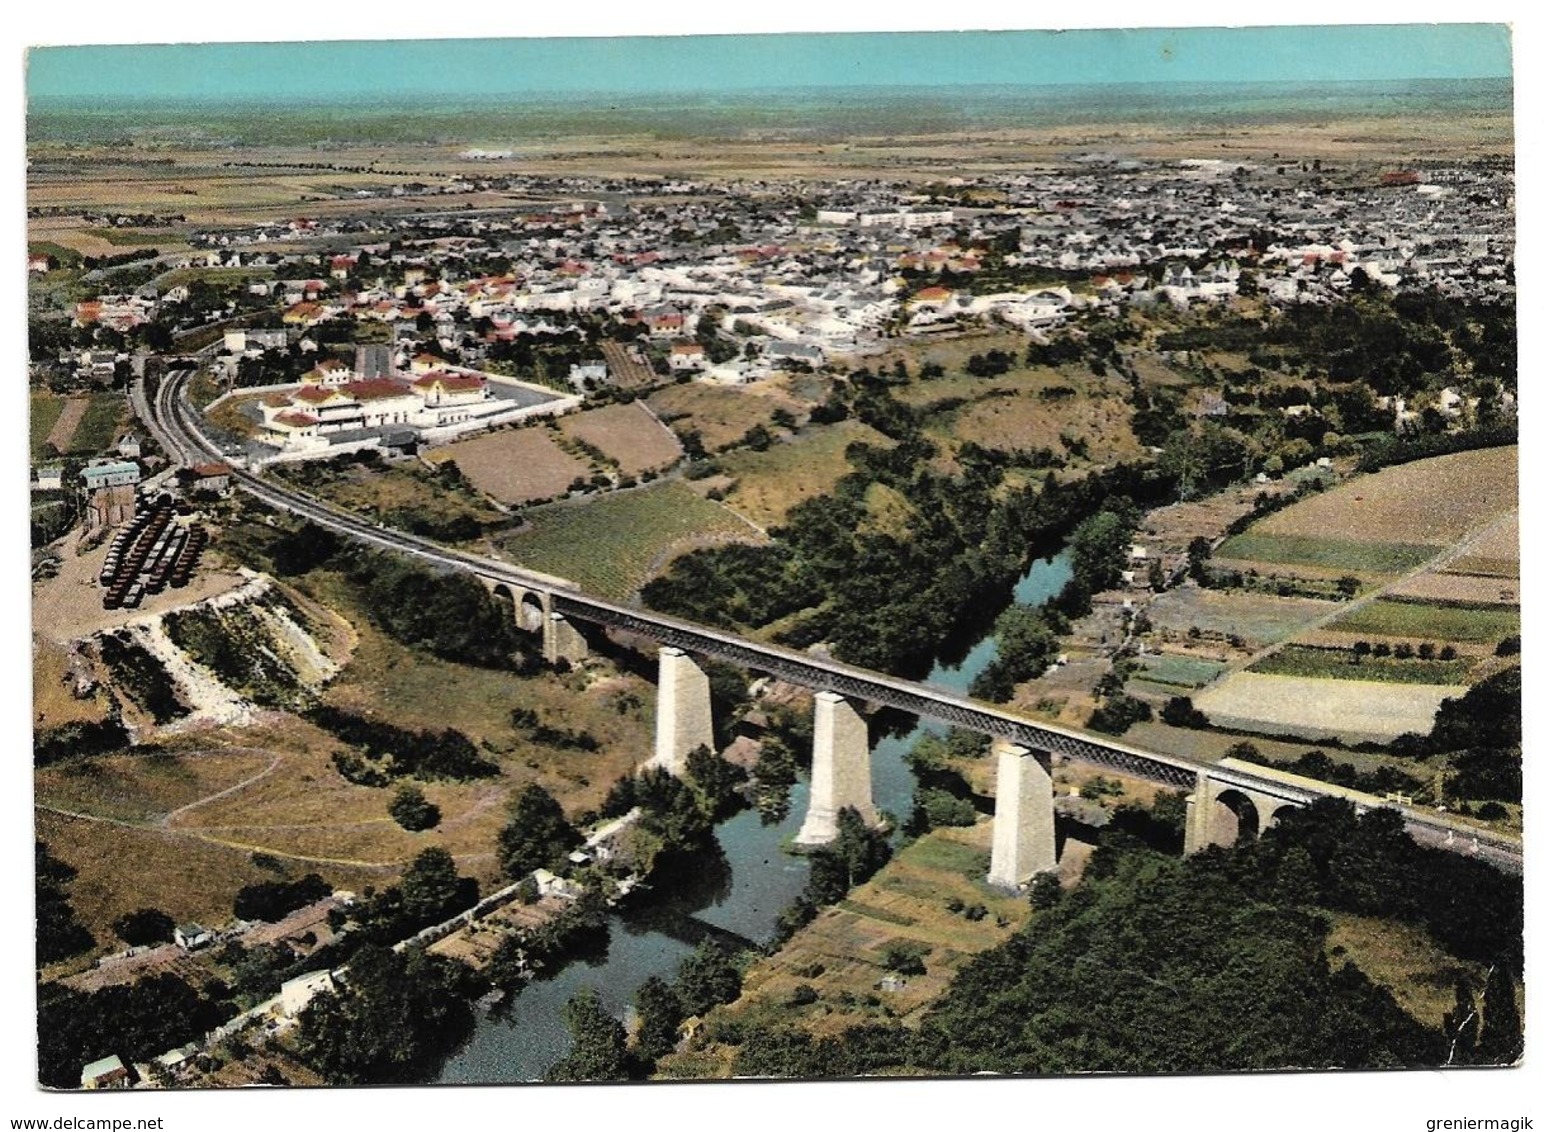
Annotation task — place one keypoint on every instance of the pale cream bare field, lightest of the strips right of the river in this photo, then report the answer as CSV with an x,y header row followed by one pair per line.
x,y
1319,708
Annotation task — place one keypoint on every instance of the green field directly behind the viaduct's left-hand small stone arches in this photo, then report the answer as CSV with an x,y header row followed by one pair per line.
x,y
614,544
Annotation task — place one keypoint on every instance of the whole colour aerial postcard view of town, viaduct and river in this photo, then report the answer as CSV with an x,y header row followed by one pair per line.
x,y
716,558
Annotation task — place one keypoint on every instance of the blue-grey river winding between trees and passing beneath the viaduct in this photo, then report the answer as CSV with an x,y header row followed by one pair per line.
x,y
740,895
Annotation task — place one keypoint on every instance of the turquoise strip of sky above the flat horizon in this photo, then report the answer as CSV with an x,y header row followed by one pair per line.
x,y
322,70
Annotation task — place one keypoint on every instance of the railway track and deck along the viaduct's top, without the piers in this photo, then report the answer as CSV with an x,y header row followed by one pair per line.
x,y
175,425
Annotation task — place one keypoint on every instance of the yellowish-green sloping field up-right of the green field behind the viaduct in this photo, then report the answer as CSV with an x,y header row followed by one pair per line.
x,y
773,483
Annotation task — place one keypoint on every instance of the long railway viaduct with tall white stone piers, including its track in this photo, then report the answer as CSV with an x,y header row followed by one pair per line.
x,y
1224,801
